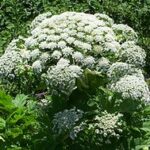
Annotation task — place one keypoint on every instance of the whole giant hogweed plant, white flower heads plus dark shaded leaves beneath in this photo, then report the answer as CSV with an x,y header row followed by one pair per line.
x,y
92,68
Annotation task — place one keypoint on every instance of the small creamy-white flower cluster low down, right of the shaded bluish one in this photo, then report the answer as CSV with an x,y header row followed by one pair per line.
x,y
108,125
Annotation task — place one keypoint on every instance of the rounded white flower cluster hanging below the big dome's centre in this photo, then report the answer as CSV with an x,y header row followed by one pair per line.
x,y
62,77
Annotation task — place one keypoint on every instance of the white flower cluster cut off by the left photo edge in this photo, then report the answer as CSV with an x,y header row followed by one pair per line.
x,y
8,63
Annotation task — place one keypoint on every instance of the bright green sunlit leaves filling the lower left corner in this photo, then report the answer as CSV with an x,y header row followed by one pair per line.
x,y
18,121
